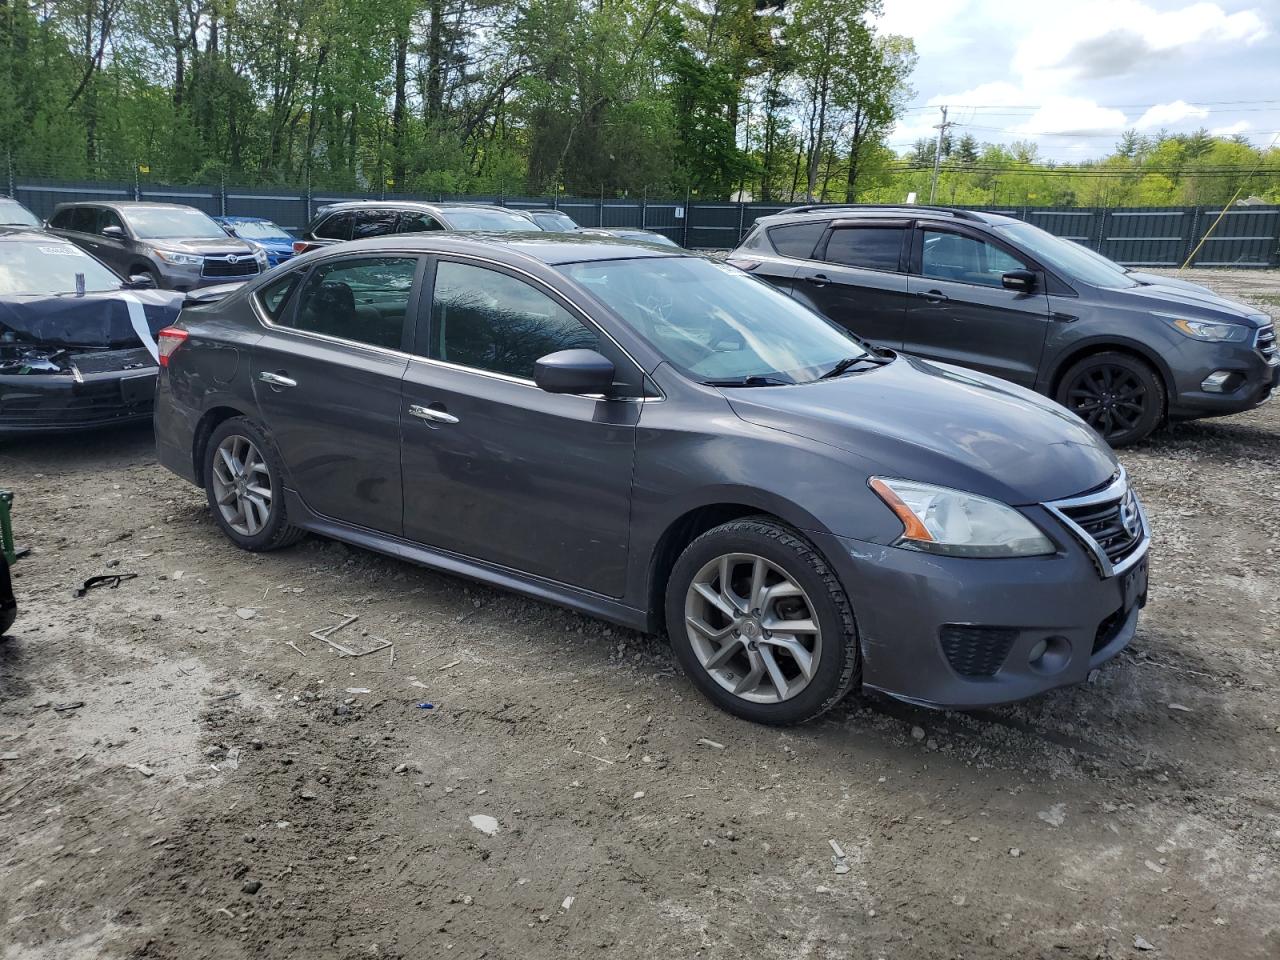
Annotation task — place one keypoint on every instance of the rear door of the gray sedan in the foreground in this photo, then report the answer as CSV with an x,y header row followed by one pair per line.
x,y
327,377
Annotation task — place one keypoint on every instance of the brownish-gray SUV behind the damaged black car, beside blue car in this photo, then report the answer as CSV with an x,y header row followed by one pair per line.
x,y
179,248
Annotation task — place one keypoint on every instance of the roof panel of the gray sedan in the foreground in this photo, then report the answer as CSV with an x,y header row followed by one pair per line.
x,y
551,249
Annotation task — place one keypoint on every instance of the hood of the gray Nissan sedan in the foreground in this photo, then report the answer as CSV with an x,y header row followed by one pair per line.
x,y
939,424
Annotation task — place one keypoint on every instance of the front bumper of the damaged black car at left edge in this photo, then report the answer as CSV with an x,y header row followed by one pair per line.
x,y
33,404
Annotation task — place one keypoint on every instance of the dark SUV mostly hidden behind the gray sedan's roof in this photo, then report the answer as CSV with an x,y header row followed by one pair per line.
x,y
363,220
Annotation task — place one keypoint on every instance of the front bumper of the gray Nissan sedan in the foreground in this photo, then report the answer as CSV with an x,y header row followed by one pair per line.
x,y
995,614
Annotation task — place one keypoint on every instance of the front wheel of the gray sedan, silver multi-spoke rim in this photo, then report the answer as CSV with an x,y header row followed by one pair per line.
x,y
761,624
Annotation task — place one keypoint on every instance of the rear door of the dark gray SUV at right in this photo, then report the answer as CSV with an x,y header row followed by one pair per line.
x,y
861,281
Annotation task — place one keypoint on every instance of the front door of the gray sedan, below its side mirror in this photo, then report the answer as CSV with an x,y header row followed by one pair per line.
x,y
497,469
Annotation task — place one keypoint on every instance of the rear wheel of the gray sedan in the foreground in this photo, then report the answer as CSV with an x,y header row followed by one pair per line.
x,y
244,483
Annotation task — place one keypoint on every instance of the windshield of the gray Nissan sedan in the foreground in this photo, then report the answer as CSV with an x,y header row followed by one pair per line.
x,y
714,322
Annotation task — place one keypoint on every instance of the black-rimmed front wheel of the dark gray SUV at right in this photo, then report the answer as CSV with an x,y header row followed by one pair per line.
x,y
1118,395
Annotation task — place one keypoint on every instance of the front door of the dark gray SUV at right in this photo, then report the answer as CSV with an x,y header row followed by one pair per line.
x,y
959,310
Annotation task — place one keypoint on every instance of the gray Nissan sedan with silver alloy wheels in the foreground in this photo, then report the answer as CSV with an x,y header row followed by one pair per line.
x,y
671,445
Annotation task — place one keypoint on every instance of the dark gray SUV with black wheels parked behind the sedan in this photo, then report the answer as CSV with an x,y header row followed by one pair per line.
x,y
1005,298
